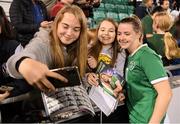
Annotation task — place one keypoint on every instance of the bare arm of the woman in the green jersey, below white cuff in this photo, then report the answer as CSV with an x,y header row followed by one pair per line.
x,y
162,101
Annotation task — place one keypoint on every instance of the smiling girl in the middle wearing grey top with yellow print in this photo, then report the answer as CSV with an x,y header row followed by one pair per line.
x,y
106,49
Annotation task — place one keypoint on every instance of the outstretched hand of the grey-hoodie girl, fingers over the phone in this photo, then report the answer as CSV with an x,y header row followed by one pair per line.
x,y
36,74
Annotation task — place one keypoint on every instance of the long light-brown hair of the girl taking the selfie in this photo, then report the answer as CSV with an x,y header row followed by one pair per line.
x,y
76,50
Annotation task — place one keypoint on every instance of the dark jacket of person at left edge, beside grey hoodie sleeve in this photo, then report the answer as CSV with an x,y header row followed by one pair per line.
x,y
7,49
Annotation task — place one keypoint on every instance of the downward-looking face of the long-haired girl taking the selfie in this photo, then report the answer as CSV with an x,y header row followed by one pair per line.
x,y
68,29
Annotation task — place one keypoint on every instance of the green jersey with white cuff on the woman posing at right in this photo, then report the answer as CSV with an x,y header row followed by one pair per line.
x,y
144,69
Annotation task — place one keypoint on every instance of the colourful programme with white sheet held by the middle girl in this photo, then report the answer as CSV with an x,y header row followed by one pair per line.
x,y
103,95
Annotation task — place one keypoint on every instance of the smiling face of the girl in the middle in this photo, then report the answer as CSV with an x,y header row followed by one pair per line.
x,y
106,33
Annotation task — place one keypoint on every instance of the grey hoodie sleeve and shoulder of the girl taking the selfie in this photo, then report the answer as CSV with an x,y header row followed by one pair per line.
x,y
38,49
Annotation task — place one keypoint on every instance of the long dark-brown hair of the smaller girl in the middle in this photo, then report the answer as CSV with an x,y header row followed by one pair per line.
x,y
96,49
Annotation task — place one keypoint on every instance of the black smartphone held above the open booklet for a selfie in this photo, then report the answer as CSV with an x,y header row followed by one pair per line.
x,y
71,73
